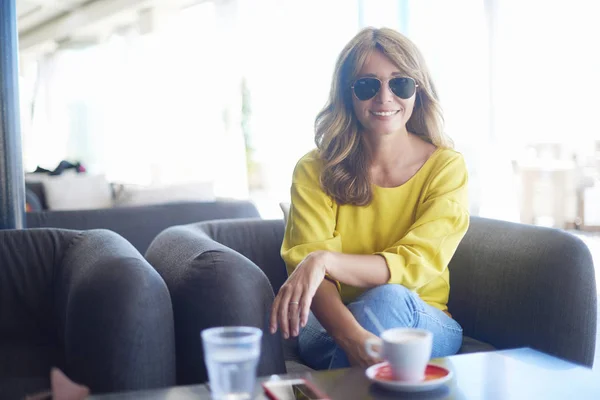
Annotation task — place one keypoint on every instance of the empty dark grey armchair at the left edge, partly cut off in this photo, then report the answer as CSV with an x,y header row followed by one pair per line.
x,y
86,302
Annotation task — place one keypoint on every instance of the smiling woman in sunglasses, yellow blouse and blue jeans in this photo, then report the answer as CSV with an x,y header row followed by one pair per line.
x,y
377,211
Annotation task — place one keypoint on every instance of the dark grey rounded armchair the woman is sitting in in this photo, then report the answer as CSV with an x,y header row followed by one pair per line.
x,y
512,285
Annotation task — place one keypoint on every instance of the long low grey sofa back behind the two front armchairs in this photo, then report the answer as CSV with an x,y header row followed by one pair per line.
x,y
140,225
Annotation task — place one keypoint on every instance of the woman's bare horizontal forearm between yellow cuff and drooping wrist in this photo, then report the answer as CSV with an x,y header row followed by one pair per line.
x,y
363,271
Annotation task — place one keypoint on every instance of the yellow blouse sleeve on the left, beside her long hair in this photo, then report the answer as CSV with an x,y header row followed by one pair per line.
x,y
311,221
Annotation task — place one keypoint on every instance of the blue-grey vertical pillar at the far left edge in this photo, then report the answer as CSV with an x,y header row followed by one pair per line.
x,y
12,185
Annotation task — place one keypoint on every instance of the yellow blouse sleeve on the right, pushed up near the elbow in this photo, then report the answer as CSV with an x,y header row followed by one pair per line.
x,y
441,222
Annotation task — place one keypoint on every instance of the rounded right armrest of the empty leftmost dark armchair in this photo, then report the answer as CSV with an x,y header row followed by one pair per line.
x,y
115,316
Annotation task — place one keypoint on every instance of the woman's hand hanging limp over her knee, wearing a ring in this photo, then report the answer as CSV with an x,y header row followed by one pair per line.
x,y
292,304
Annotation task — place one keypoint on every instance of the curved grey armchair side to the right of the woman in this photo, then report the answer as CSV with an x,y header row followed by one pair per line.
x,y
516,285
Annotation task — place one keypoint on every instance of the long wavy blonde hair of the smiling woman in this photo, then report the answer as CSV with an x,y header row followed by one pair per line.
x,y
341,146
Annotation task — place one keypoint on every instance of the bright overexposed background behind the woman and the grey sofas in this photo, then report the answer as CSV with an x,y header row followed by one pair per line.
x,y
176,99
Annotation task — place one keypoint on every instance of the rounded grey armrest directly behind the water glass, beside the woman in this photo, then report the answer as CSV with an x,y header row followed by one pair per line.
x,y
212,285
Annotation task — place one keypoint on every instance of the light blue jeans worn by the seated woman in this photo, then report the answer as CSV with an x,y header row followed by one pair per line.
x,y
394,306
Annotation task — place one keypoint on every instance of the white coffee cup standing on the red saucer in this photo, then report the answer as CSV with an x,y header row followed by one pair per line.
x,y
407,350
